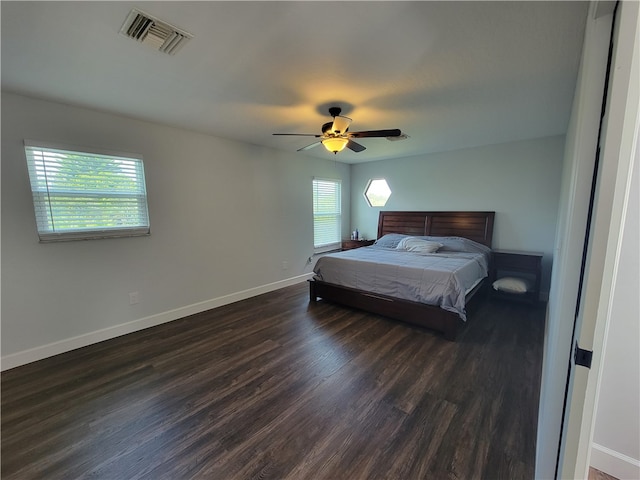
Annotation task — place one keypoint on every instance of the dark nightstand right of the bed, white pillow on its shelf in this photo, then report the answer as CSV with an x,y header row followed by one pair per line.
x,y
522,265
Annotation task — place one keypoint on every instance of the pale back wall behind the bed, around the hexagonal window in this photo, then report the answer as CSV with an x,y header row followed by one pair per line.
x,y
520,181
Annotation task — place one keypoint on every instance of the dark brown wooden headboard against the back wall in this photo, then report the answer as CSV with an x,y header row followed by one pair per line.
x,y
476,226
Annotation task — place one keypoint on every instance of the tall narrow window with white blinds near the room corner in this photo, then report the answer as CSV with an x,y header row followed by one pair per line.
x,y
327,216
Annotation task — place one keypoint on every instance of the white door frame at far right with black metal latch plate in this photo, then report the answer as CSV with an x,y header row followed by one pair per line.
x,y
619,139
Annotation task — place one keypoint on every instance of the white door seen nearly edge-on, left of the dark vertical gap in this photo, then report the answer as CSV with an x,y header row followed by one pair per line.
x,y
573,218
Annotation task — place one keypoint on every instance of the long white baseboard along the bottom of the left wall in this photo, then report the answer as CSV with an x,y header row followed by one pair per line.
x,y
66,345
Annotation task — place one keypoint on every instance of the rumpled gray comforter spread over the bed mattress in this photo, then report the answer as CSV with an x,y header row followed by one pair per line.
x,y
441,279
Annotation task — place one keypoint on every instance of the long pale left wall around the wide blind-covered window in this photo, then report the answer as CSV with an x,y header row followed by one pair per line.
x,y
224,217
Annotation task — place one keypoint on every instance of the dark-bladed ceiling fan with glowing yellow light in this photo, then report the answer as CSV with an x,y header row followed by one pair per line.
x,y
336,135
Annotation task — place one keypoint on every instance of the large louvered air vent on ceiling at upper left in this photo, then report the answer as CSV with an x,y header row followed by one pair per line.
x,y
149,30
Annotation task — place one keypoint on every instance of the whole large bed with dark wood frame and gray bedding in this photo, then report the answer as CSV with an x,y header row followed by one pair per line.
x,y
366,290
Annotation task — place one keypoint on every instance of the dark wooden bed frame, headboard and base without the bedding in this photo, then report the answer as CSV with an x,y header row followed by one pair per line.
x,y
477,226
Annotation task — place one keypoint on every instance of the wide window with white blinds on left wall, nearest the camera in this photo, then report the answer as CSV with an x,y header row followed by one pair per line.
x,y
81,195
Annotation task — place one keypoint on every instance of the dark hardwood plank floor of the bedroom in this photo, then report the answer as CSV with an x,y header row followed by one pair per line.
x,y
277,387
